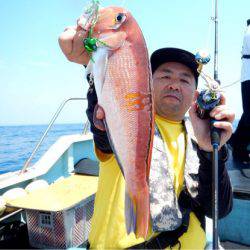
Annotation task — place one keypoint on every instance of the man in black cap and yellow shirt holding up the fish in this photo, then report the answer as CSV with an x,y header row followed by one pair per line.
x,y
187,164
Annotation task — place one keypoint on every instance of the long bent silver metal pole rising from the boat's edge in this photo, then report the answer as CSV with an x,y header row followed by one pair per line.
x,y
47,130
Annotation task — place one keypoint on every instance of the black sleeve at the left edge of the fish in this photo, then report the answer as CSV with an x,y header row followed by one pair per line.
x,y
100,137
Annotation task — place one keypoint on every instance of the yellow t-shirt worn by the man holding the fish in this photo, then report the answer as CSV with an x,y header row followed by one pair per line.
x,y
108,223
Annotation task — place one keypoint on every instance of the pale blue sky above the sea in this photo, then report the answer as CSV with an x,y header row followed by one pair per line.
x,y
35,77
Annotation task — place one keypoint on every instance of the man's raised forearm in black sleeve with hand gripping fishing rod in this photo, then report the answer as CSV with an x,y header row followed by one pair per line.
x,y
224,117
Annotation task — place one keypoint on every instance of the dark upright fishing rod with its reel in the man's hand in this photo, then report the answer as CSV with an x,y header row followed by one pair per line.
x,y
206,101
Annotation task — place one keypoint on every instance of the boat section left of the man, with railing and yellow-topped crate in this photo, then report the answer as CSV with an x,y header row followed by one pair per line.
x,y
69,164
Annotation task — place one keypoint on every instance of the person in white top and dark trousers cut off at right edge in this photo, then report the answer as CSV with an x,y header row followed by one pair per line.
x,y
240,140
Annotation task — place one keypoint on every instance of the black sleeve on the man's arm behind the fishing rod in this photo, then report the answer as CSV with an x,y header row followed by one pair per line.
x,y
225,196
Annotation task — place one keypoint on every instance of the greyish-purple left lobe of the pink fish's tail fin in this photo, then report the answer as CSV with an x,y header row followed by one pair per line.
x,y
130,216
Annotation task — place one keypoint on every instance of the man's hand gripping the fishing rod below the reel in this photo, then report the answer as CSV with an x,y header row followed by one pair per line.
x,y
224,117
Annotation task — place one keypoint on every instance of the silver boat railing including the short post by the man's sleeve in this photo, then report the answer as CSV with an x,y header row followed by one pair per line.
x,y
85,129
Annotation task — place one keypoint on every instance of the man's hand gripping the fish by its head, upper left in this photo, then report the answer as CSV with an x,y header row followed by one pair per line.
x,y
71,43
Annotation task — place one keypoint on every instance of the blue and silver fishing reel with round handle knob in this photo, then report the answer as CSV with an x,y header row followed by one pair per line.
x,y
209,97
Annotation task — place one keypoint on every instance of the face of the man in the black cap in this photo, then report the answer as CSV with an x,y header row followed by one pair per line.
x,y
174,87
